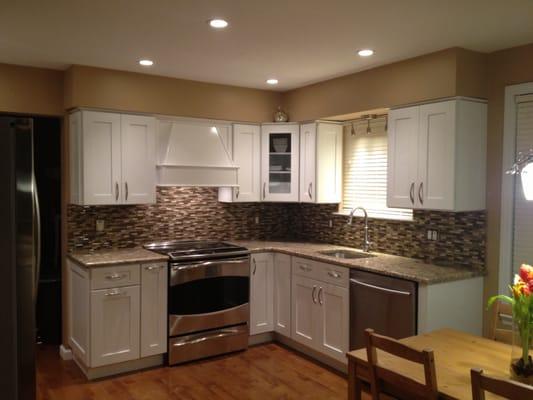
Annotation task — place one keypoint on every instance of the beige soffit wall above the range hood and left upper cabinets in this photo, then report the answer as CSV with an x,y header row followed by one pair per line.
x,y
128,91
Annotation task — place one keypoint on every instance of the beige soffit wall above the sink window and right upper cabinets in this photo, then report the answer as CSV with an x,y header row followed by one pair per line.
x,y
451,72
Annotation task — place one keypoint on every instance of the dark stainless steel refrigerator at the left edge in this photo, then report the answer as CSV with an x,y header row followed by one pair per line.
x,y
19,254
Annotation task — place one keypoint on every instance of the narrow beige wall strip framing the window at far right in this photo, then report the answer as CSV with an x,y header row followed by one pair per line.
x,y
506,67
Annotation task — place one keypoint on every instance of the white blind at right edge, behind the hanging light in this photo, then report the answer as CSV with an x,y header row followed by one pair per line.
x,y
523,209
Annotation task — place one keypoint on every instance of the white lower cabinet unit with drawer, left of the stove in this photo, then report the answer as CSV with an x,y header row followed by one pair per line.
x,y
117,314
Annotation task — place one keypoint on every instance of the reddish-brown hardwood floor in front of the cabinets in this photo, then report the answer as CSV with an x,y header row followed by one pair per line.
x,y
266,371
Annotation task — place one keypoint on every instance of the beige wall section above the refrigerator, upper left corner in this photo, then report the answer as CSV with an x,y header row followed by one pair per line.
x,y
29,90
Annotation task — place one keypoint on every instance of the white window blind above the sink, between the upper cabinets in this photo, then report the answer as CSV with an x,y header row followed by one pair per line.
x,y
365,171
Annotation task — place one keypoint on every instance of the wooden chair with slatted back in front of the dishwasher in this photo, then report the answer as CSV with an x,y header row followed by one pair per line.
x,y
389,383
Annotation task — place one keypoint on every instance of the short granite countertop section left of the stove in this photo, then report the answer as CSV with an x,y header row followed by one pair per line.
x,y
102,258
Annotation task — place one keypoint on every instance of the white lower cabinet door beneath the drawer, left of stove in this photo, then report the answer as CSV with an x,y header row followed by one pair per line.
x,y
115,325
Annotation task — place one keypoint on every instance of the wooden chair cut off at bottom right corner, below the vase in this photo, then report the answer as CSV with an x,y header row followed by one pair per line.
x,y
501,387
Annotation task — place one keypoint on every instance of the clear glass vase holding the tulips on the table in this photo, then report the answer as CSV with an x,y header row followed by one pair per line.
x,y
521,367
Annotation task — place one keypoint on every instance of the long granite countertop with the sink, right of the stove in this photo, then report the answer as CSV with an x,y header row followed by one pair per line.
x,y
384,264
